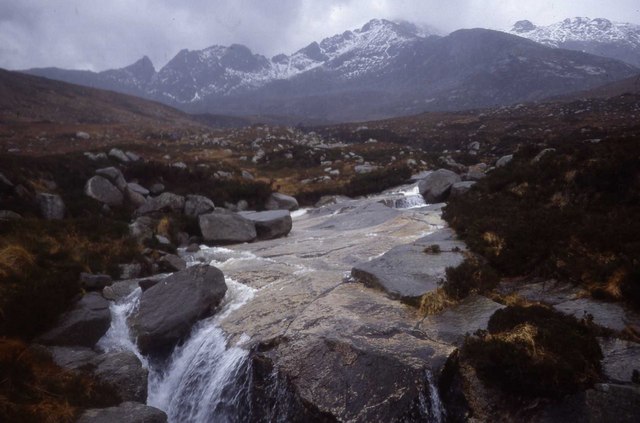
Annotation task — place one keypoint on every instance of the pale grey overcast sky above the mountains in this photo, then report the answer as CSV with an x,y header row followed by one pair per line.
x,y
103,34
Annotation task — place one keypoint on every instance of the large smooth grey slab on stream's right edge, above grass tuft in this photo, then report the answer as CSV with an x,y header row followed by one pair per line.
x,y
406,272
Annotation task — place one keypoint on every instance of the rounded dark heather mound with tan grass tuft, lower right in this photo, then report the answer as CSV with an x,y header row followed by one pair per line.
x,y
535,352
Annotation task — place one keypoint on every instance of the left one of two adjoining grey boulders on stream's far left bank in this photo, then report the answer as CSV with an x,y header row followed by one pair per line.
x,y
226,228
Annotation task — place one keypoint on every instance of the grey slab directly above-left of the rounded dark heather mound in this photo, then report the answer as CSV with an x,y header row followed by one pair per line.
x,y
453,324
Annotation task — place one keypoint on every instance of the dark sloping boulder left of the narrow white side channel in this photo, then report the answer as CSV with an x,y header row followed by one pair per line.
x,y
83,325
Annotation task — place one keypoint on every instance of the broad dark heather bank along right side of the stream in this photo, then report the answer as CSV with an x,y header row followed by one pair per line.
x,y
571,215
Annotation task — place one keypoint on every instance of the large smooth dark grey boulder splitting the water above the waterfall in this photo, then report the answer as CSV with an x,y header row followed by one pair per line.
x,y
168,310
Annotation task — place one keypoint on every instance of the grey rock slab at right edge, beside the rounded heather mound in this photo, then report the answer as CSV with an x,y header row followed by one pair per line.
x,y
621,358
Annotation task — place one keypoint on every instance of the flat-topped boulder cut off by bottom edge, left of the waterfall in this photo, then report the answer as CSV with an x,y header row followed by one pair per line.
x,y
129,412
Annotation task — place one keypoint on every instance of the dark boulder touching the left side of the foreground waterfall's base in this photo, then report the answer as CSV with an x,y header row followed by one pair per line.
x,y
123,371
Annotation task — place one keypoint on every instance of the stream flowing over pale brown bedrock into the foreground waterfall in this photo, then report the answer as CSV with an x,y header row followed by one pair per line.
x,y
324,331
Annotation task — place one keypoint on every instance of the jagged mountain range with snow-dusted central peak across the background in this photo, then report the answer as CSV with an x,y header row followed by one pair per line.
x,y
381,70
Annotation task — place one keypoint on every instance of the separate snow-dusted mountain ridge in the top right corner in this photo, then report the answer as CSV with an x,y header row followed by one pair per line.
x,y
599,36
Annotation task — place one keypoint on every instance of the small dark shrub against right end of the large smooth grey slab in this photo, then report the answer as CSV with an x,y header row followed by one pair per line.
x,y
470,275
